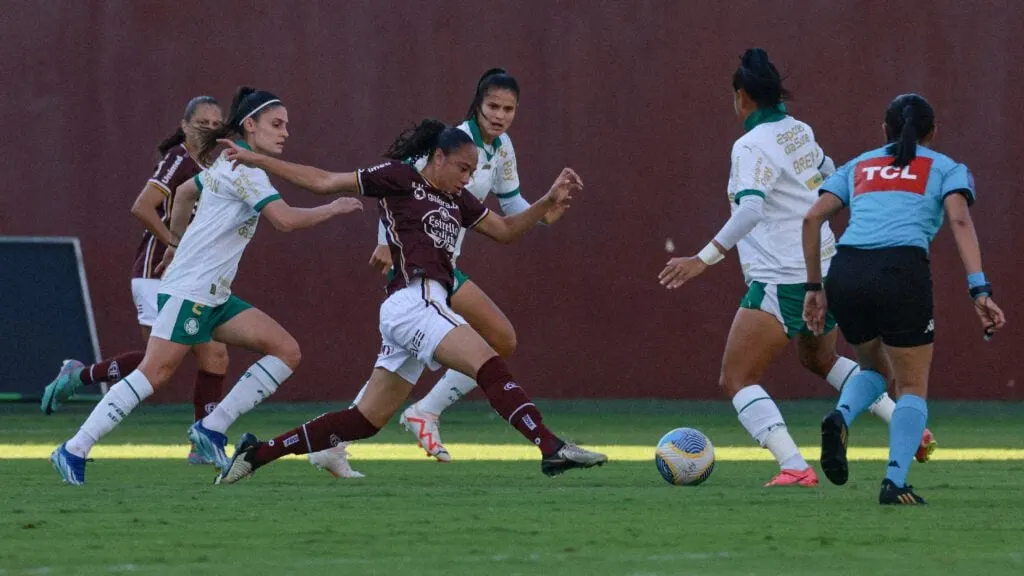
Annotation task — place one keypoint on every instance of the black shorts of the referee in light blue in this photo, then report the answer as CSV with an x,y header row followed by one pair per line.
x,y
884,293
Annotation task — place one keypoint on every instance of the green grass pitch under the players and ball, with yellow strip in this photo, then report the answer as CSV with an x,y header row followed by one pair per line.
x,y
491,512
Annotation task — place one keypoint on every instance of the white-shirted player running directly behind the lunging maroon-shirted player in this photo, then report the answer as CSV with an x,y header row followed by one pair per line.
x,y
496,102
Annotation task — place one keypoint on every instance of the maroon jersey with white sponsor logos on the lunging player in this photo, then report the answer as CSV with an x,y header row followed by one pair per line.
x,y
422,223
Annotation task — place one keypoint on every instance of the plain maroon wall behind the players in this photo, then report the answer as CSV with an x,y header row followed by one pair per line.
x,y
635,96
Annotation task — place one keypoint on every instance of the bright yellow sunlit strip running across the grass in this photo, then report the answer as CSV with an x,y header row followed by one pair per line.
x,y
470,452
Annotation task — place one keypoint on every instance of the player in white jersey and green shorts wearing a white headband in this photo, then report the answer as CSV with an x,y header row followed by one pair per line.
x,y
196,304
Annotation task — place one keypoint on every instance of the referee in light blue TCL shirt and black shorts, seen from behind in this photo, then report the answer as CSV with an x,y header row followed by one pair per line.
x,y
880,286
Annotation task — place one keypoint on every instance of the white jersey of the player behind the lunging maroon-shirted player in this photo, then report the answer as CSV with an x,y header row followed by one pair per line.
x,y
496,173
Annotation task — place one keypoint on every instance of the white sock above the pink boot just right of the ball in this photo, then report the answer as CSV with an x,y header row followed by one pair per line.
x,y
762,420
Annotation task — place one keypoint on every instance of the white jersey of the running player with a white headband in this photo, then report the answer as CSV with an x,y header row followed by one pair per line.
x,y
208,257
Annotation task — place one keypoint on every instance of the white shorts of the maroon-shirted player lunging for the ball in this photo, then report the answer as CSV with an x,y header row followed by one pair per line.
x,y
414,321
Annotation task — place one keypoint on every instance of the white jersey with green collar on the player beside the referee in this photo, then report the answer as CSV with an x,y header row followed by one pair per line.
x,y
779,160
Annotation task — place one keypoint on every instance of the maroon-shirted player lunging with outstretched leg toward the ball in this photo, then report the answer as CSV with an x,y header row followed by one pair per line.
x,y
422,213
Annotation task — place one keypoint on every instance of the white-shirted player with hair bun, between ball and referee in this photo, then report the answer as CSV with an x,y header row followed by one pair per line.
x,y
778,168
